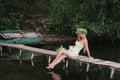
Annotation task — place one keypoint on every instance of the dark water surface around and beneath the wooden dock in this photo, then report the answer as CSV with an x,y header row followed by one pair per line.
x,y
11,69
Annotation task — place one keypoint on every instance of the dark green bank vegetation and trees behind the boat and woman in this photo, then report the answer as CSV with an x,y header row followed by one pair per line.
x,y
44,16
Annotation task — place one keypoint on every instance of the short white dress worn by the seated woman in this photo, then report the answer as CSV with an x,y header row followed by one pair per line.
x,y
74,51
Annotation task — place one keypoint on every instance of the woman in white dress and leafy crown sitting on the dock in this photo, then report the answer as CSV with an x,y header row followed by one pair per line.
x,y
81,43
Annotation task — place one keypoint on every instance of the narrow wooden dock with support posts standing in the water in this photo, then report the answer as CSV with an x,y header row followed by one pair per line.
x,y
81,59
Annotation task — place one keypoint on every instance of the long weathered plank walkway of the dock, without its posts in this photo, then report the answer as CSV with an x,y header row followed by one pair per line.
x,y
53,53
